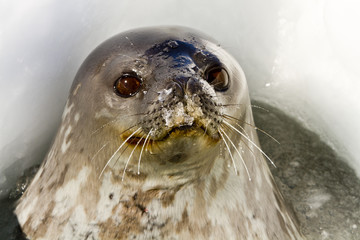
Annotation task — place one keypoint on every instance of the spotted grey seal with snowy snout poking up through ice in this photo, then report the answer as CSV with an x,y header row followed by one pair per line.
x,y
157,141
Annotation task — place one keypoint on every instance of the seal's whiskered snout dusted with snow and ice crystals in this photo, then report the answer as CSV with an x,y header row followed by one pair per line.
x,y
185,106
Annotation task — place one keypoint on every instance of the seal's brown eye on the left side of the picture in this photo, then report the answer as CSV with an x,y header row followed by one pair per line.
x,y
127,85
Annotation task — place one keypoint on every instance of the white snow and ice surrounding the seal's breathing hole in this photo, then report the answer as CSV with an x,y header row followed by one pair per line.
x,y
301,56
